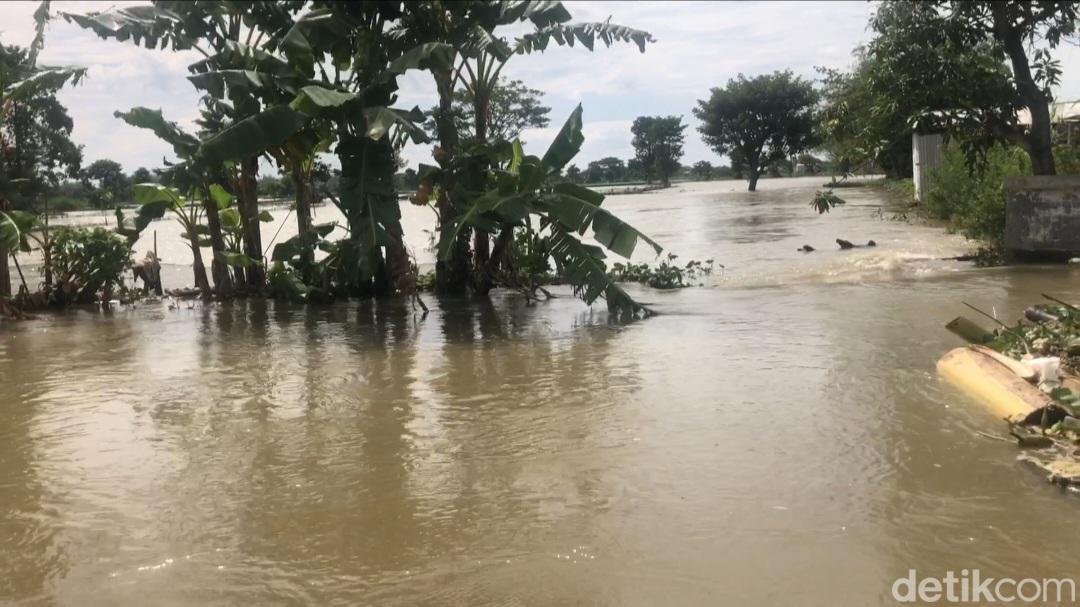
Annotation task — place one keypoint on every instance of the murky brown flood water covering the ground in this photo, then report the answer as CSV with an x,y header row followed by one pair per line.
x,y
776,438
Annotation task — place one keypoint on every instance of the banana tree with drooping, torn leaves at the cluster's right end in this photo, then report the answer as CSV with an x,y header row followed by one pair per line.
x,y
531,195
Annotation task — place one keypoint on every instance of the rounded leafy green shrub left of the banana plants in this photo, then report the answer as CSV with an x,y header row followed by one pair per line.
x,y
88,261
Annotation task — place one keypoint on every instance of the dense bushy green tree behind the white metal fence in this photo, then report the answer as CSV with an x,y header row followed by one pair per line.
x,y
872,113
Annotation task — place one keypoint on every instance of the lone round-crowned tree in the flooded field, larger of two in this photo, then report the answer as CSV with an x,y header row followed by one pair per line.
x,y
760,122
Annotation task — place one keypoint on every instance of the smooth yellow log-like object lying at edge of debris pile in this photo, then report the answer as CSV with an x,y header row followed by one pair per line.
x,y
992,383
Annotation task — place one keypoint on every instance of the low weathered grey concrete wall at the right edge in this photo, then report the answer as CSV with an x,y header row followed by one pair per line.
x,y
1043,215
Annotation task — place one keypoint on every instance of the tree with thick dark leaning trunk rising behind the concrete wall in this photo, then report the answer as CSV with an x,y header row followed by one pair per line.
x,y
934,35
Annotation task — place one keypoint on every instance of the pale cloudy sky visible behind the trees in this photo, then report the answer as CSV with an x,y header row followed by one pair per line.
x,y
699,46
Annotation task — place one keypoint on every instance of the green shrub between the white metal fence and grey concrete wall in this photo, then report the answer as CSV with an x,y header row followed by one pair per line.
x,y
974,203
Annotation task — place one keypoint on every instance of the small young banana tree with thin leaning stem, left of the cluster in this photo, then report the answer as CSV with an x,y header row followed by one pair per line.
x,y
155,201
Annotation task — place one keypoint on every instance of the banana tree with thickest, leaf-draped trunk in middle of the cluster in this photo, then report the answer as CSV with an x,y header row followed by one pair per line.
x,y
367,129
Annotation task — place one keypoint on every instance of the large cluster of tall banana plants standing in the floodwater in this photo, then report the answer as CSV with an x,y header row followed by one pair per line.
x,y
308,78
